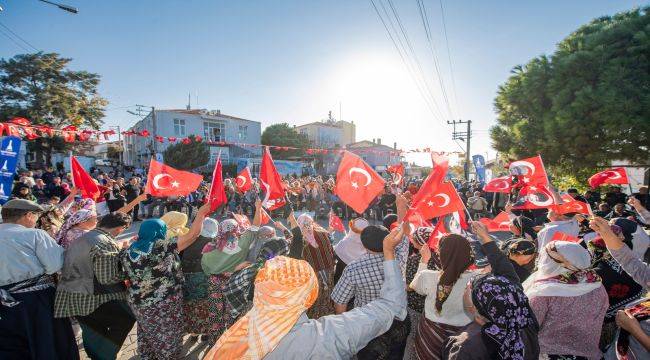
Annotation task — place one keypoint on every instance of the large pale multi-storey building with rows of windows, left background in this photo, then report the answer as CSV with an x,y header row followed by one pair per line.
x,y
213,126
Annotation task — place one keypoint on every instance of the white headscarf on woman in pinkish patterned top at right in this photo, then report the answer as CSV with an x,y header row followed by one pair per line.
x,y
577,259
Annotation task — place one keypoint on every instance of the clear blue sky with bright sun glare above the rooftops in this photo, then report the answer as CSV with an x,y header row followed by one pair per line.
x,y
293,61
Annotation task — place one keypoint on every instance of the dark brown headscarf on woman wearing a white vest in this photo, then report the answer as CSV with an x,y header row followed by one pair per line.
x,y
455,257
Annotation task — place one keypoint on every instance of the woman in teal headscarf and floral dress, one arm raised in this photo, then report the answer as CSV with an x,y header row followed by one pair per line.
x,y
153,268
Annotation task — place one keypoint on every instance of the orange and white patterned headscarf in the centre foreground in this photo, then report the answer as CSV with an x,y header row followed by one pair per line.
x,y
284,289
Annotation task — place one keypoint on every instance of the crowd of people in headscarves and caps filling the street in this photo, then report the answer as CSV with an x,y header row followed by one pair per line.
x,y
287,289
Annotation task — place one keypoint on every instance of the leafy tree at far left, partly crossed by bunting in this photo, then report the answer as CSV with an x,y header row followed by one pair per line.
x,y
41,88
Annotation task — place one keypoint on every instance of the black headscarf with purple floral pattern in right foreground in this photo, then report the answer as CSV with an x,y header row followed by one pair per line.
x,y
506,309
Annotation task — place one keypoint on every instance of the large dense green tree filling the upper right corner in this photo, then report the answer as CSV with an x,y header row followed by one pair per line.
x,y
585,105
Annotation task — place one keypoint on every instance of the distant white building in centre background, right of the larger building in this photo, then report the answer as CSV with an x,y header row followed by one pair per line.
x,y
329,133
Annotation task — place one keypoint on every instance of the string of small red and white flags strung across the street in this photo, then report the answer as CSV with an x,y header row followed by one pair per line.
x,y
24,129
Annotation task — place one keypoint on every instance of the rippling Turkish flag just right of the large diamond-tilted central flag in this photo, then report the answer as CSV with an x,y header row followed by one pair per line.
x,y
440,201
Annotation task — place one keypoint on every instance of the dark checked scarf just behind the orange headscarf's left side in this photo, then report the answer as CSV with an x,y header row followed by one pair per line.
x,y
239,289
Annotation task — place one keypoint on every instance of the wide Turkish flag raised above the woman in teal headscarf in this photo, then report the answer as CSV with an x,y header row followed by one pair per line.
x,y
164,180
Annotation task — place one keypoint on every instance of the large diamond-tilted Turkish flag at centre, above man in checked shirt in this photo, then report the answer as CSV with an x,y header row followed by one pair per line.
x,y
357,184
